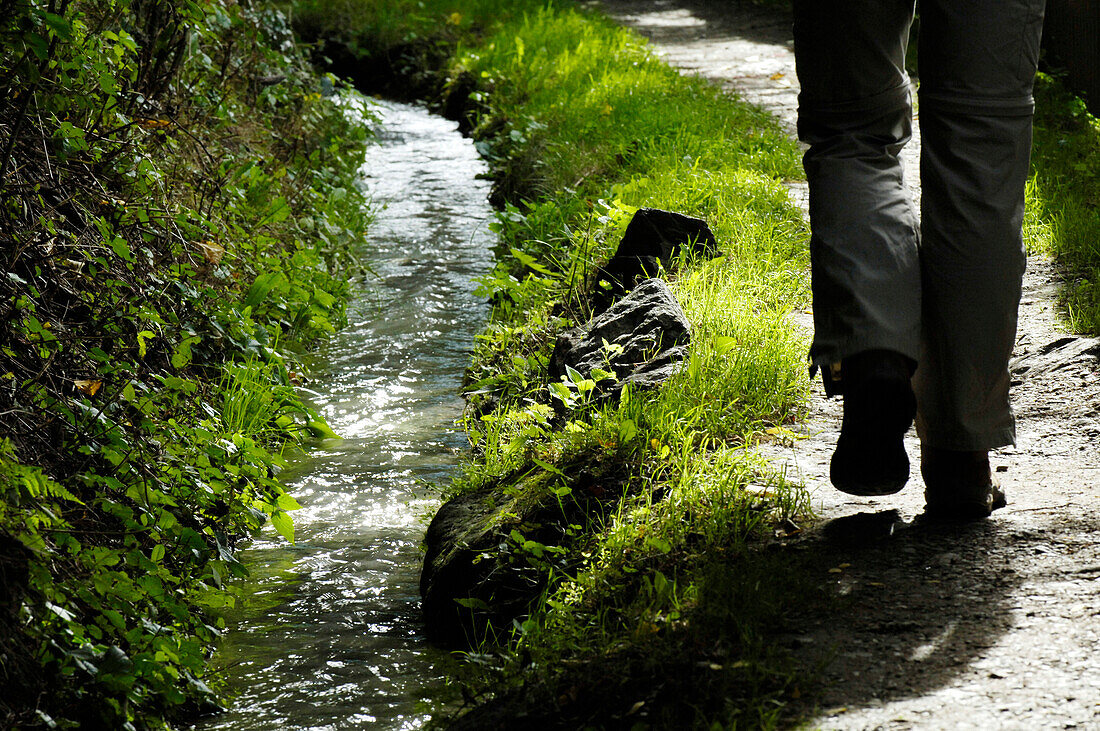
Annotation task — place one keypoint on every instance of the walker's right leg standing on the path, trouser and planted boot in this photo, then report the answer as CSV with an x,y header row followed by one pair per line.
x,y
978,61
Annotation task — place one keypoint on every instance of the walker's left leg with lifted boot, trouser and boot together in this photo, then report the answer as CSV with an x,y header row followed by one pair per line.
x,y
854,113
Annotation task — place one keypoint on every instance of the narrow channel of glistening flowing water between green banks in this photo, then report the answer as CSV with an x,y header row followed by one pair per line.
x,y
331,637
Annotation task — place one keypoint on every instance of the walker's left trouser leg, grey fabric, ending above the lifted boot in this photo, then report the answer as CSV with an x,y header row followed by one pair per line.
x,y
854,113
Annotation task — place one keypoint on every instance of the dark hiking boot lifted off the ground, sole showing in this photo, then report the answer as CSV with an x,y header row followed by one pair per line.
x,y
878,411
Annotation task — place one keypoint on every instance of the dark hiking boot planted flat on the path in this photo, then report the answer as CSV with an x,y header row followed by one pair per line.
x,y
959,486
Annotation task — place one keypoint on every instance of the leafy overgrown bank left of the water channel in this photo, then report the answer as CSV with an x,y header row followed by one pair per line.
x,y
177,209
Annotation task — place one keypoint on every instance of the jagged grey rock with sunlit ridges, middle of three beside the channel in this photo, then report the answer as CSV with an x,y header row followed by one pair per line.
x,y
643,339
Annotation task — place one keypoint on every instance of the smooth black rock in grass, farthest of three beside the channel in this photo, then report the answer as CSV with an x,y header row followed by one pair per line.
x,y
653,241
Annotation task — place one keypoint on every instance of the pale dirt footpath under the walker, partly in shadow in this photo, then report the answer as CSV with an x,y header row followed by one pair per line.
x,y
988,626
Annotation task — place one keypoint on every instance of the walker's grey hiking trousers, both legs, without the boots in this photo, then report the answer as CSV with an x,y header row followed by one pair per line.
x,y
944,290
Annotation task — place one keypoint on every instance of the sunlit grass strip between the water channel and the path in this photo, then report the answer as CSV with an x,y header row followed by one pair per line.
x,y
656,595
